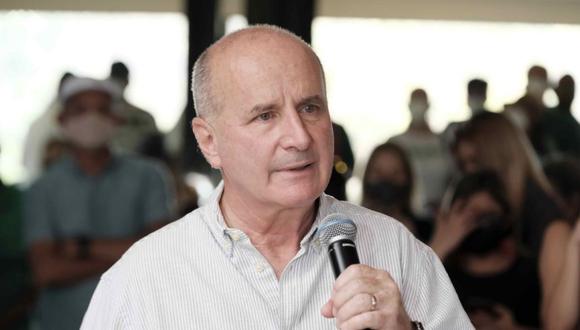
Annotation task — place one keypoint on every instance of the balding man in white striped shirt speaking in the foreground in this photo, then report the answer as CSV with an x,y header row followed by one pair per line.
x,y
250,259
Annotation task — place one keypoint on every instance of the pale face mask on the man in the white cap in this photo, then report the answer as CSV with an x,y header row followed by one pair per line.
x,y
90,130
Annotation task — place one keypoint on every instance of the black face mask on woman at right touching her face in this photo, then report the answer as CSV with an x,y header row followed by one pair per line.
x,y
491,231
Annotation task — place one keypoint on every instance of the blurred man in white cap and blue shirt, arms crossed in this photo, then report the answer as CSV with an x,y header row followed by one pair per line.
x,y
89,207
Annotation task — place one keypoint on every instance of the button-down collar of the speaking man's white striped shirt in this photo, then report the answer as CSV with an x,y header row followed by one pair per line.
x,y
227,237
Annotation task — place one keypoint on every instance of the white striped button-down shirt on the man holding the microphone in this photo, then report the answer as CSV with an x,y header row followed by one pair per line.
x,y
198,274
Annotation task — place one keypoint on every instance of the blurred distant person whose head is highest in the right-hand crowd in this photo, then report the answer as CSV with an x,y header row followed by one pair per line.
x,y
527,112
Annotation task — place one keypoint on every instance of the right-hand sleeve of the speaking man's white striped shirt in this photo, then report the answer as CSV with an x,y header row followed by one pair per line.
x,y
427,291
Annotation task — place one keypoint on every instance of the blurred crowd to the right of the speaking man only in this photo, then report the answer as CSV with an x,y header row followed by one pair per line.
x,y
497,197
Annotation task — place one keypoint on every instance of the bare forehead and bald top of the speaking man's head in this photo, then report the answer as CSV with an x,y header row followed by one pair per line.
x,y
253,66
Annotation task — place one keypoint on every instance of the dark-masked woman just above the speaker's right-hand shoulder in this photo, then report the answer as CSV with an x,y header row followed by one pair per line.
x,y
388,187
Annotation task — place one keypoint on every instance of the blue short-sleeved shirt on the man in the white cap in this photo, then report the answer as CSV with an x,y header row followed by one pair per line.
x,y
122,201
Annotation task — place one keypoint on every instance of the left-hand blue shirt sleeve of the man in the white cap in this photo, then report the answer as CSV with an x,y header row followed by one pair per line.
x,y
37,226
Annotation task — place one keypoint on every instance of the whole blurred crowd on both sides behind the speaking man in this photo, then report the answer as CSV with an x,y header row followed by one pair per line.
x,y
497,197
